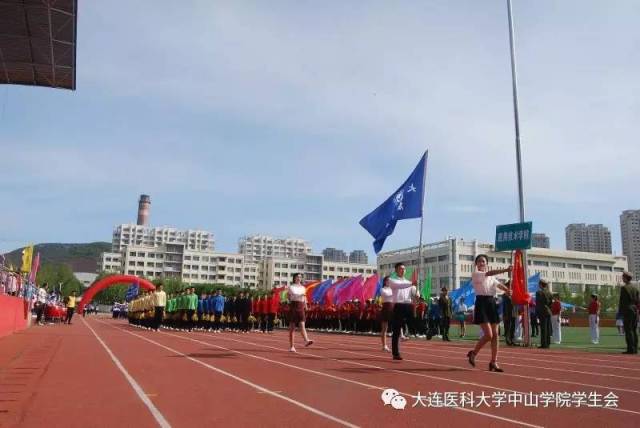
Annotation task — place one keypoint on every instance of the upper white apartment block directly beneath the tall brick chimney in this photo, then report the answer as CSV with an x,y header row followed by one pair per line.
x,y
130,235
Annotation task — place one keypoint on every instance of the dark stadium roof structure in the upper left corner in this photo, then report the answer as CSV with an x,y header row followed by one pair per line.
x,y
38,42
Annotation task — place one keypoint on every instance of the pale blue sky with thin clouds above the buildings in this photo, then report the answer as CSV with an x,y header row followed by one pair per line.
x,y
296,119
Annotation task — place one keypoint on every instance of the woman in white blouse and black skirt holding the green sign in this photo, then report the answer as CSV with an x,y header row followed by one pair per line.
x,y
486,310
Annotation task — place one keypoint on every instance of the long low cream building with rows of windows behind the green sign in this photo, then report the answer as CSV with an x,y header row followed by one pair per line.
x,y
451,264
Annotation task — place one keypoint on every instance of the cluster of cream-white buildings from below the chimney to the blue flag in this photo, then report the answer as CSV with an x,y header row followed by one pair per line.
x,y
266,262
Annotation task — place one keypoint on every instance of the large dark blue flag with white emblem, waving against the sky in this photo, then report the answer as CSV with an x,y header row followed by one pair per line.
x,y
406,202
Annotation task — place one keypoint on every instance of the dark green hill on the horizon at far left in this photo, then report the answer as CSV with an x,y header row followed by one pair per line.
x,y
79,257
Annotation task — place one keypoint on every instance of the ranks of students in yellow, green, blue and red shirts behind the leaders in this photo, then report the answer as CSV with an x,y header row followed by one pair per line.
x,y
216,312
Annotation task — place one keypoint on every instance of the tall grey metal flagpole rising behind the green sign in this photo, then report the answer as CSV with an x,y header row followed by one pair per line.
x,y
514,80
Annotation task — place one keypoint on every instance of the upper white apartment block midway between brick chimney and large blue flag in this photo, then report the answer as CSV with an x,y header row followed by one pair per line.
x,y
259,247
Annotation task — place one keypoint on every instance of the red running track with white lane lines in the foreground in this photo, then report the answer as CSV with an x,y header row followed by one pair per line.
x,y
101,372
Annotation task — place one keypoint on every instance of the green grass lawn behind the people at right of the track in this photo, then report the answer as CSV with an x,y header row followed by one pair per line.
x,y
572,338
